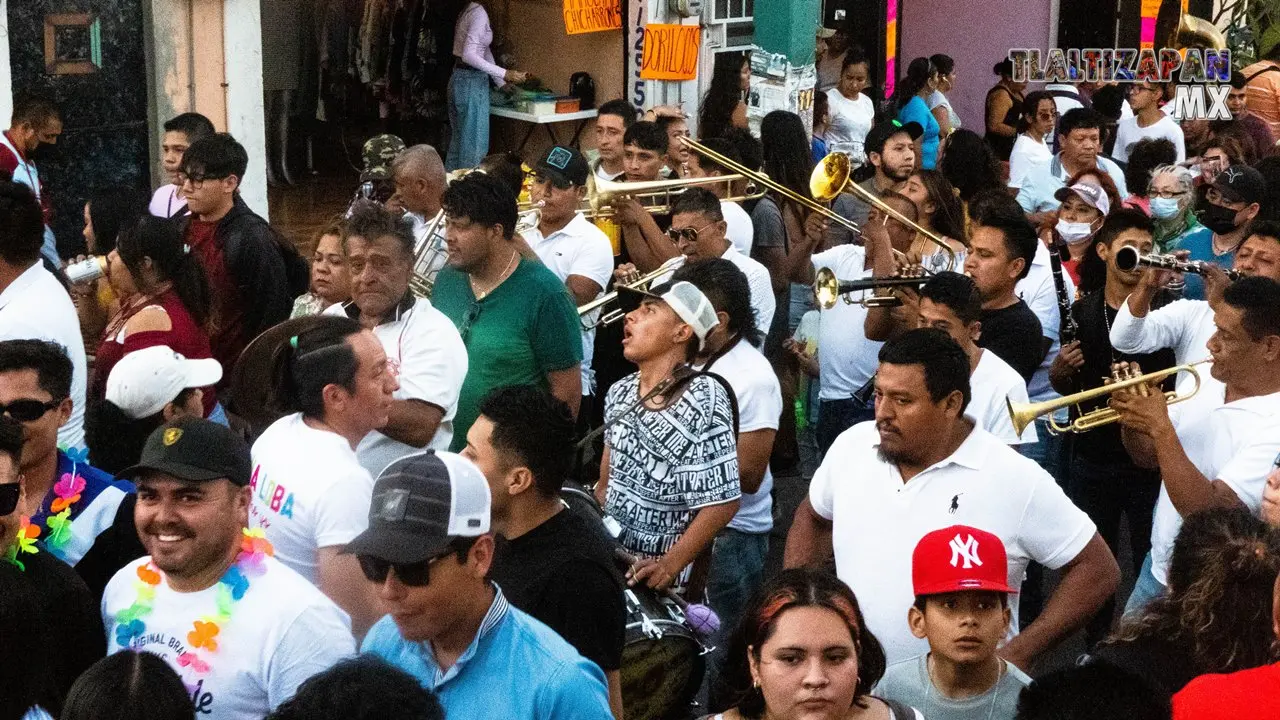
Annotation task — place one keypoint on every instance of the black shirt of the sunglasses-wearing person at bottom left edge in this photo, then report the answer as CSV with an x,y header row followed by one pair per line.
x,y
51,628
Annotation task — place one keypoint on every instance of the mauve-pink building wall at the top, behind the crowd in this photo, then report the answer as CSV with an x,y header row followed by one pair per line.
x,y
977,37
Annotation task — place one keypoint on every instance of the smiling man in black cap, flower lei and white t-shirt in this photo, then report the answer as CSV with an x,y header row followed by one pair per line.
x,y
239,627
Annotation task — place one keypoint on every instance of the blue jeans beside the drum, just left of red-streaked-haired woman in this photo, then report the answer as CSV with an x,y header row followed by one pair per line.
x,y
735,575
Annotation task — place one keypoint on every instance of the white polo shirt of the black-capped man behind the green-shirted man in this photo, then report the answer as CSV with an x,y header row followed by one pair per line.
x,y
578,249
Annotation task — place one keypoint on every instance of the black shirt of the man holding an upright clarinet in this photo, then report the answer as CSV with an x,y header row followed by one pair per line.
x,y
1104,445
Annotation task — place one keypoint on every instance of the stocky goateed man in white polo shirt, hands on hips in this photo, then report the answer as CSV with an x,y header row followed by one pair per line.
x,y
921,467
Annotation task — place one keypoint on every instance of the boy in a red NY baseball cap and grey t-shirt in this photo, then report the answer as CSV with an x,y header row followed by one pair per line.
x,y
961,577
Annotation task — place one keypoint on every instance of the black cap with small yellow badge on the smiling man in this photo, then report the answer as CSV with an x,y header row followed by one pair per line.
x,y
194,449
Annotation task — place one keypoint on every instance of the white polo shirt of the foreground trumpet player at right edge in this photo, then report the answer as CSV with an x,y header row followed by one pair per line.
x,y
1236,443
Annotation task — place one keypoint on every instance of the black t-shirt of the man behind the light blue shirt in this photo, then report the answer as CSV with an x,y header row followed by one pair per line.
x,y
564,575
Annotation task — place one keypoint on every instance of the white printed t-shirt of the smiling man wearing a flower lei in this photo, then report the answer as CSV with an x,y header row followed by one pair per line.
x,y
280,635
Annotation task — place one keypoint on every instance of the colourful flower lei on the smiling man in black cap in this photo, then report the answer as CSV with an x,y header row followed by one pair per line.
x,y
232,587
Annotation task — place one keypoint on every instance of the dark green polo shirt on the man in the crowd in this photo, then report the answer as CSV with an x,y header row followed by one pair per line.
x,y
522,331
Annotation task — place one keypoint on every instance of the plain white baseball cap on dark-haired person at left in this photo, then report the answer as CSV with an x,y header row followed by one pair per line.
x,y
148,380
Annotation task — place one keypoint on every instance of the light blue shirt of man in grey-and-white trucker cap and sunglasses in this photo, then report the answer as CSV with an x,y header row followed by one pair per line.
x,y
516,669
